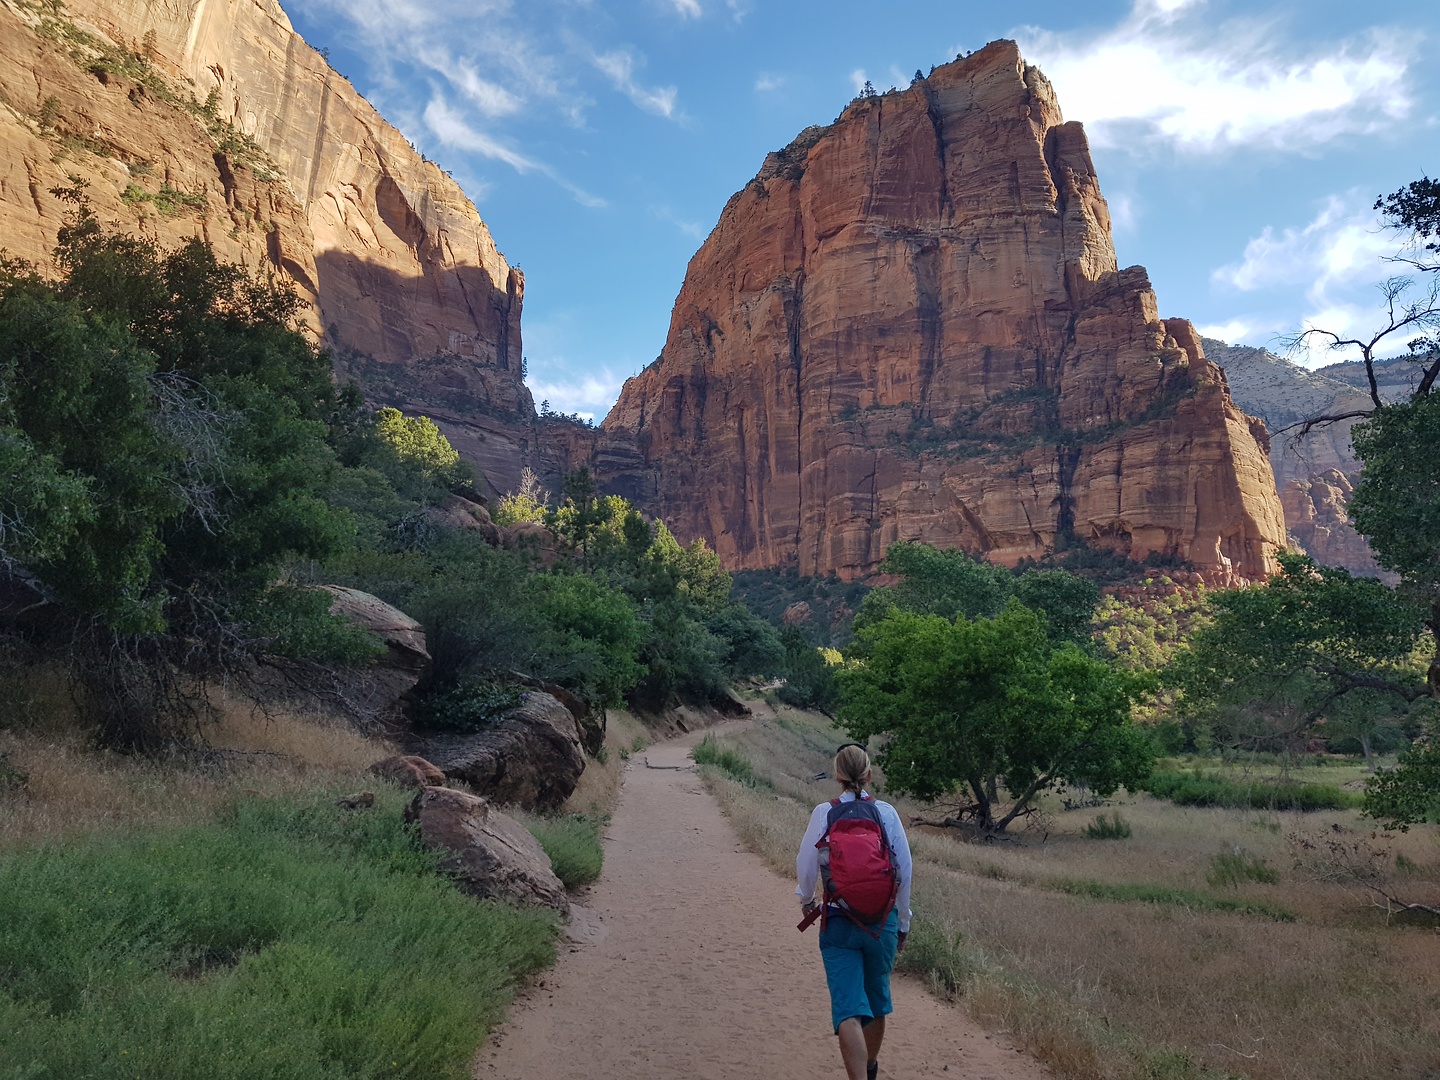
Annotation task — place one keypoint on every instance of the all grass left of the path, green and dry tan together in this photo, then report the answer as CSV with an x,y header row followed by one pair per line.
x,y
220,915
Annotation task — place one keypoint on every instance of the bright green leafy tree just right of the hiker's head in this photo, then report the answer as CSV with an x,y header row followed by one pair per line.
x,y
991,705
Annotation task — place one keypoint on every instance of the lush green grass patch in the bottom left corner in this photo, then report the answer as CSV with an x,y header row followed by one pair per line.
x,y
289,940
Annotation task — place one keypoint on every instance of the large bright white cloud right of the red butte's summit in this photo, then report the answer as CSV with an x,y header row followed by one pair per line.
x,y
1205,89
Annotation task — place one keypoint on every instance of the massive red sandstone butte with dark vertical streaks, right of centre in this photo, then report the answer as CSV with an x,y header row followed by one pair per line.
x,y
912,325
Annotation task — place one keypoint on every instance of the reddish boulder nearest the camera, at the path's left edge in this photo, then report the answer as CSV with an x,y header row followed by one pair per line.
x,y
492,855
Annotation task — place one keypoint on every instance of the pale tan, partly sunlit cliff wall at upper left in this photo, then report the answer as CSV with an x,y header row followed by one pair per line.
x,y
208,119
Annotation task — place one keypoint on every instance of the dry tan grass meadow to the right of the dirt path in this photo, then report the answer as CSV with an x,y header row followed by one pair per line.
x,y
1192,948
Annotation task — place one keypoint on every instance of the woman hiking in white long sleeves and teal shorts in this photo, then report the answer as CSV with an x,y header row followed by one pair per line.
x,y
858,846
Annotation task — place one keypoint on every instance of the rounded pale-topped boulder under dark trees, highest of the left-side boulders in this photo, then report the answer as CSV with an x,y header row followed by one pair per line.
x,y
375,693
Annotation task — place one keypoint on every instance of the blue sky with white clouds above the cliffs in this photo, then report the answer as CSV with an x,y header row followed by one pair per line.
x,y
1241,145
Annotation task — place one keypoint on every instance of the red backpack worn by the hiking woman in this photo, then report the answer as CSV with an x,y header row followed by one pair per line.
x,y
856,865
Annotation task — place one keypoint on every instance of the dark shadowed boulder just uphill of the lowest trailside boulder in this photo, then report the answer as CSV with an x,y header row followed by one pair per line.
x,y
531,758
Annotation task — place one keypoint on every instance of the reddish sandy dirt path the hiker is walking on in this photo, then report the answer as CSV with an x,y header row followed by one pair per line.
x,y
695,968
